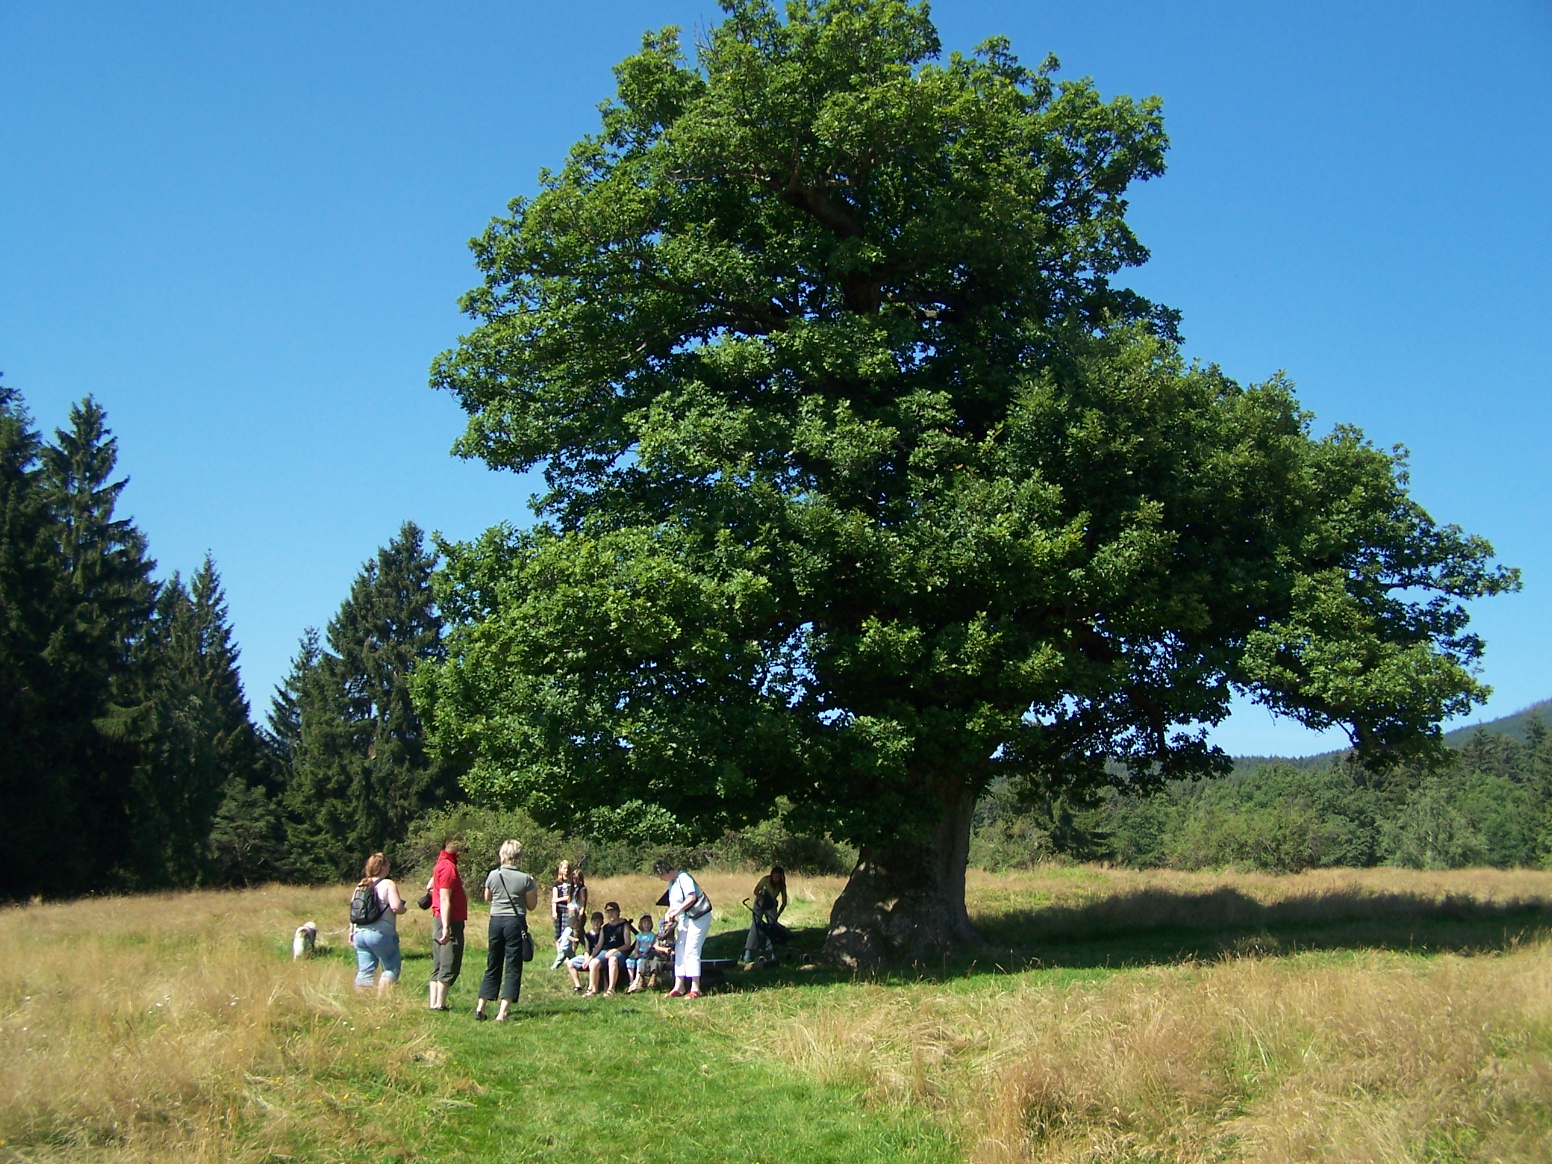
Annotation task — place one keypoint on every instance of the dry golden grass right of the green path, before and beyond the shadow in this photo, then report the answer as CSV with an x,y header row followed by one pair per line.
x,y
1370,1056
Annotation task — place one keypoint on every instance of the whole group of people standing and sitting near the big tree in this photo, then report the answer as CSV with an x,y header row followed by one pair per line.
x,y
603,946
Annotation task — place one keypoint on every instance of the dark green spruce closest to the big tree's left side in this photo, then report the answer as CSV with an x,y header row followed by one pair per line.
x,y
359,769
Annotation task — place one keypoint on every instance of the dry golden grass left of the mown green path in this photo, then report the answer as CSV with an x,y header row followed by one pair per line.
x,y
144,1028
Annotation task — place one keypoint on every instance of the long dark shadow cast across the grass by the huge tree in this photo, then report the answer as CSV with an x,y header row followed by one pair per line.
x,y
1171,927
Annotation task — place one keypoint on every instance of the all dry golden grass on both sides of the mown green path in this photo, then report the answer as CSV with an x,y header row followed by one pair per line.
x,y
142,1030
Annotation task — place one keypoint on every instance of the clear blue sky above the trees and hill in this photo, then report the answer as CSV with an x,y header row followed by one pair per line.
x,y
243,227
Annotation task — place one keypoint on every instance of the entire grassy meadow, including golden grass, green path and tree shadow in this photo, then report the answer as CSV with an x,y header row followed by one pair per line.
x,y
1342,1016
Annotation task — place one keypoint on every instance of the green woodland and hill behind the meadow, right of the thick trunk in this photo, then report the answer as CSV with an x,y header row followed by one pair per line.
x,y
1486,802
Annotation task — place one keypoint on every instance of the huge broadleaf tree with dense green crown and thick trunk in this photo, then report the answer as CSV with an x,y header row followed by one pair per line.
x,y
868,487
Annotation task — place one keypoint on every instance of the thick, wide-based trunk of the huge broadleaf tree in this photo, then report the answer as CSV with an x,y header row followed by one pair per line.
x,y
907,899
